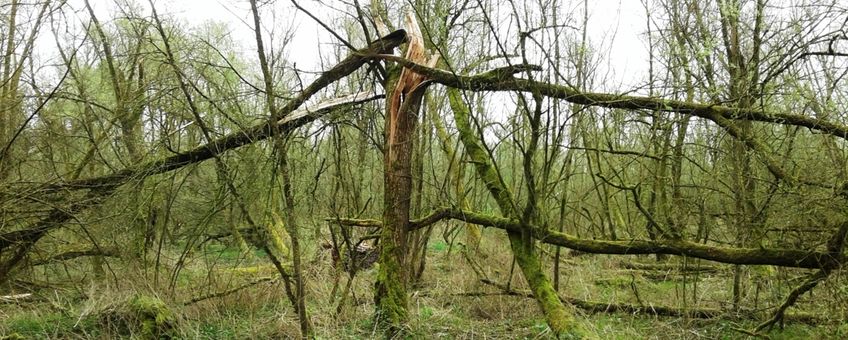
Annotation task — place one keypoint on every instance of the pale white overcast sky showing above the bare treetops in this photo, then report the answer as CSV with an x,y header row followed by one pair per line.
x,y
616,28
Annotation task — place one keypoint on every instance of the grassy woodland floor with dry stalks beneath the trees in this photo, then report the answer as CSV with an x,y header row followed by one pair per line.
x,y
442,306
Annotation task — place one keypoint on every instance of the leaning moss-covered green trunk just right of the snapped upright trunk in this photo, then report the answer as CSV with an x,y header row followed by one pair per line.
x,y
523,246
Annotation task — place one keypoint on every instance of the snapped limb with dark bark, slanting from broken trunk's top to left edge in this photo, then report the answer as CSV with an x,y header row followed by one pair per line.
x,y
103,186
